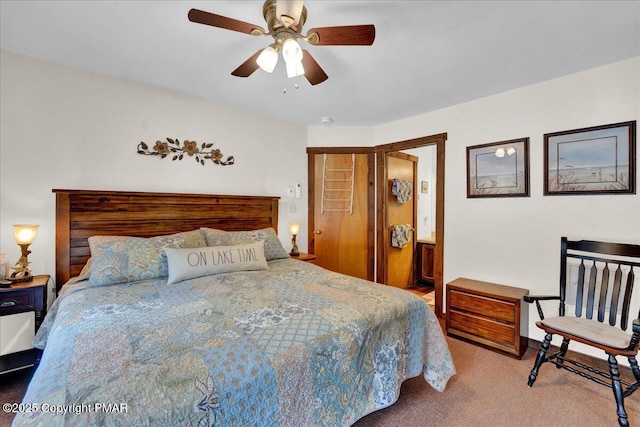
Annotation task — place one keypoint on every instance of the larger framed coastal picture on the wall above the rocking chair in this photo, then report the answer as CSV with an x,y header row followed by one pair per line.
x,y
592,160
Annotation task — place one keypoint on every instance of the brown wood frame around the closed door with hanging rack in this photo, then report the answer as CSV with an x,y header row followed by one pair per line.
x,y
311,170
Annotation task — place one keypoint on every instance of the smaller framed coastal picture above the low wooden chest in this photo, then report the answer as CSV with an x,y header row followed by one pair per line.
x,y
498,169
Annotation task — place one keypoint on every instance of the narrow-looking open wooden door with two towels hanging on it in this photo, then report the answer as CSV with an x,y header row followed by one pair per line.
x,y
399,269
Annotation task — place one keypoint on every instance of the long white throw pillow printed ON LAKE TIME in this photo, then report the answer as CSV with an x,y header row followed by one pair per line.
x,y
190,263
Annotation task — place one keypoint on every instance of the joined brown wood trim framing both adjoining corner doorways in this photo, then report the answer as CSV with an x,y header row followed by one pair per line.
x,y
376,199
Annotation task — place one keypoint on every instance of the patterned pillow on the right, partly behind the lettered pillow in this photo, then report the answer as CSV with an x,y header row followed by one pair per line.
x,y
273,248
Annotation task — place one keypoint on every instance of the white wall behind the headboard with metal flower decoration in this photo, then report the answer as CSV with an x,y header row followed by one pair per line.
x,y
67,128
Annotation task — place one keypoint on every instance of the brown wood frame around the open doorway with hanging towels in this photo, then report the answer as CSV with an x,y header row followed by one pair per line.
x,y
381,150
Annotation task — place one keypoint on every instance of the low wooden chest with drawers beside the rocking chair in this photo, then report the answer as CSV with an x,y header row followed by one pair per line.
x,y
488,314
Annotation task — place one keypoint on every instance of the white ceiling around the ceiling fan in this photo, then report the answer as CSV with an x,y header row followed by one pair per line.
x,y
427,54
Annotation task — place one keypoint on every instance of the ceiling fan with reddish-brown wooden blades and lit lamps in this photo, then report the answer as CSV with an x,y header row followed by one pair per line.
x,y
285,19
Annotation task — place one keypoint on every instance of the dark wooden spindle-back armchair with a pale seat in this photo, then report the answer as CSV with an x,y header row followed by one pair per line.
x,y
609,267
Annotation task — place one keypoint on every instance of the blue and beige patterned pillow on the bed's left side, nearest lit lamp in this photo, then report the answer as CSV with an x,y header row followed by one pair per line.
x,y
120,259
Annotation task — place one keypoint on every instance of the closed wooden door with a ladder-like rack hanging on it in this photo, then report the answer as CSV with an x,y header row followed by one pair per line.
x,y
341,215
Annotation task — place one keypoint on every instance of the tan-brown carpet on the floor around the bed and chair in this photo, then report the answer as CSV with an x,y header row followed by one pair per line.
x,y
489,389
